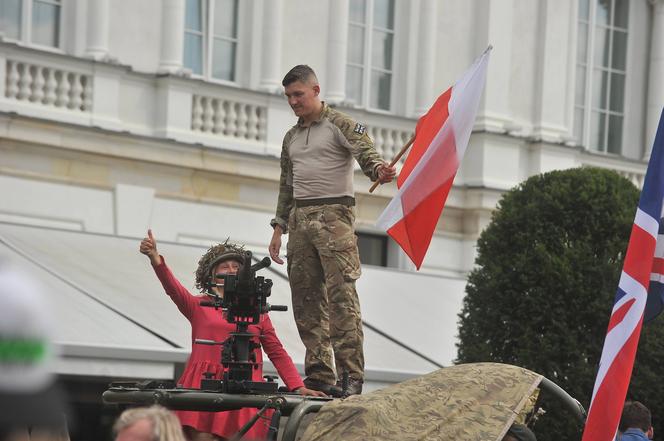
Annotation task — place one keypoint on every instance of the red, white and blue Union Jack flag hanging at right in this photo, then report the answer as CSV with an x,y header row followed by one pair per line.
x,y
641,283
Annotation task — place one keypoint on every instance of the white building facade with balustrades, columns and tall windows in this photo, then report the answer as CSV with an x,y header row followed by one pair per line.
x,y
122,115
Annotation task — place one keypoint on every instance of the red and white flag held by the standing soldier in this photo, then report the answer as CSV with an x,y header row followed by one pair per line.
x,y
441,137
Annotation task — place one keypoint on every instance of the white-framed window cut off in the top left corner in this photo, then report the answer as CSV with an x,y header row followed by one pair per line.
x,y
31,21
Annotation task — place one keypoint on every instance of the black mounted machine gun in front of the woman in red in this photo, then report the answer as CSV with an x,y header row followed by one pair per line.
x,y
244,300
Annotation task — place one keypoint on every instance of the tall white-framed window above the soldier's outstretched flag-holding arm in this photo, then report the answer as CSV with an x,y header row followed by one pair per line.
x,y
369,67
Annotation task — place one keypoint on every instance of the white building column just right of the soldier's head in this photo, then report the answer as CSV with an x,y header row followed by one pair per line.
x,y
337,47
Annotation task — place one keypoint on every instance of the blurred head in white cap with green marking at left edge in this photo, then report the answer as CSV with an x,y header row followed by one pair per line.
x,y
29,394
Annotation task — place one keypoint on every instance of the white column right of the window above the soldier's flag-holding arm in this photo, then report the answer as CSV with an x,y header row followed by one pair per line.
x,y
426,57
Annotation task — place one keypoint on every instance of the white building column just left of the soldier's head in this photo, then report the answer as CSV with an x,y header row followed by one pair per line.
x,y
273,13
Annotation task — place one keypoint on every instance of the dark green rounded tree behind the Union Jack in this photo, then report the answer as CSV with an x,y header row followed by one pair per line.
x,y
546,274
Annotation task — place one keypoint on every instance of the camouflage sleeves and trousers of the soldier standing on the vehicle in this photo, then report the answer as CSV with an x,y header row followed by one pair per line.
x,y
323,259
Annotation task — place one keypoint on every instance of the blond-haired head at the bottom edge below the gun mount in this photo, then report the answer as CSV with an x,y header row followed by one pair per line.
x,y
154,423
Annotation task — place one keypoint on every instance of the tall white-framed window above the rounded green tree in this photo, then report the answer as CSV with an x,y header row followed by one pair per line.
x,y
599,101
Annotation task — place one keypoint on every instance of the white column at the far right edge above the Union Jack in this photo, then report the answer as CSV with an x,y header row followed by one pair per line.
x,y
655,94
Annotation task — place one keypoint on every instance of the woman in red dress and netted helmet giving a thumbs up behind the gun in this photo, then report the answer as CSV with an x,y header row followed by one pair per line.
x,y
208,323
